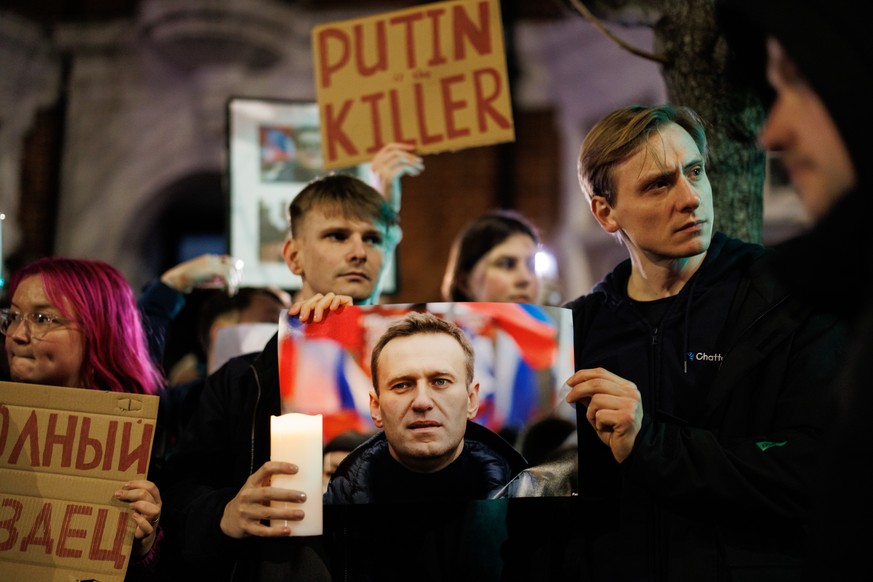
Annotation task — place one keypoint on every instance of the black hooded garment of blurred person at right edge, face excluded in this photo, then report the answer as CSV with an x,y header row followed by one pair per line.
x,y
830,266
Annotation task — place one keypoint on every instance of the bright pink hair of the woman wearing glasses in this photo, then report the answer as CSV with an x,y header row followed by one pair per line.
x,y
98,297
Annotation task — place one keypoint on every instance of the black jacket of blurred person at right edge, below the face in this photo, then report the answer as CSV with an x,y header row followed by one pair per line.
x,y
828,270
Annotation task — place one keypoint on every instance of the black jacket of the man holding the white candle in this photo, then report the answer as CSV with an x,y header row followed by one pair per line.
x,y
226,441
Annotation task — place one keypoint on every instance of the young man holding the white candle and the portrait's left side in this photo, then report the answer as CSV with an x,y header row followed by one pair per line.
x,y
218,492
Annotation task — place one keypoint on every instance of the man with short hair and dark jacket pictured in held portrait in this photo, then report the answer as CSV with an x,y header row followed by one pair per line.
x,y
423,398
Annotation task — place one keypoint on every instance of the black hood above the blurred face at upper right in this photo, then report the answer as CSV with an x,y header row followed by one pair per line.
x,y
831,44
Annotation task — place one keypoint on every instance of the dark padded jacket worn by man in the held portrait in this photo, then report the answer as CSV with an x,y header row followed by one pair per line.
x,y
495,462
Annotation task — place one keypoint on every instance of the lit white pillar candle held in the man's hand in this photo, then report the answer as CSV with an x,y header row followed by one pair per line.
x,y
296,438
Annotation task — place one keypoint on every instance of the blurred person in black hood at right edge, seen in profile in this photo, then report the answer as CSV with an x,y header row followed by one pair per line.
x,y
819,64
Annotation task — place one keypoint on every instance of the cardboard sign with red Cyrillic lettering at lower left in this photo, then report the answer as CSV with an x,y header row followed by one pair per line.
x,y
63,453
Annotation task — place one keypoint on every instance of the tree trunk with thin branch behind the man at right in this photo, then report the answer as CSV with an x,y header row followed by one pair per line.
x,y
694,54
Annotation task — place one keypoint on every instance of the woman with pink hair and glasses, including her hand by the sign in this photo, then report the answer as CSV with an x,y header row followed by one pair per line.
x,y
75,323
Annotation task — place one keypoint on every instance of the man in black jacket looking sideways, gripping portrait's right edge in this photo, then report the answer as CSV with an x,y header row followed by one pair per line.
x,y
698,375
